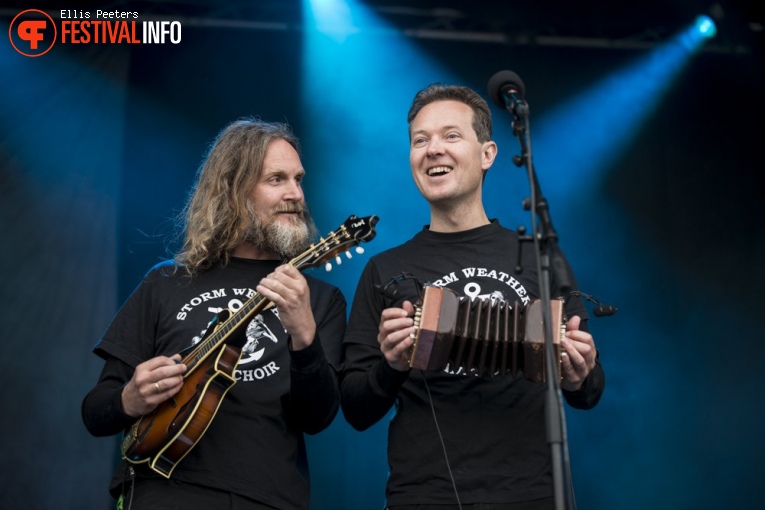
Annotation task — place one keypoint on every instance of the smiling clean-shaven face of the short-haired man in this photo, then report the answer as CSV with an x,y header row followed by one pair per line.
x,y
447,159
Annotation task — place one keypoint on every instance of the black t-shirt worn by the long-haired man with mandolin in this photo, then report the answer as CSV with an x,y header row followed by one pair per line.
x,y
254,446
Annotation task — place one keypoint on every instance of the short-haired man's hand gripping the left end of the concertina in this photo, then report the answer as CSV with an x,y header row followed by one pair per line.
x,y
395,335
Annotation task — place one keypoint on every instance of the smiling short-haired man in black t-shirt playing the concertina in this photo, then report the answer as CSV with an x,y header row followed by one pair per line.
x,y
461,438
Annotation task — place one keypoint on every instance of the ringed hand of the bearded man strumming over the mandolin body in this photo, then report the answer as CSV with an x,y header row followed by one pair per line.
x,y
153,382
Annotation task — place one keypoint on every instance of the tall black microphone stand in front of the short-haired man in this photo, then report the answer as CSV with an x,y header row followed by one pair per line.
x,y
549,258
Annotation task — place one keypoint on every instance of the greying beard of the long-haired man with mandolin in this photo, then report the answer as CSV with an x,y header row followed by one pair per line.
x,y
288,241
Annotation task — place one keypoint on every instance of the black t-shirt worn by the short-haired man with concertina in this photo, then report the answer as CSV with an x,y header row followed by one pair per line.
x,y
493,426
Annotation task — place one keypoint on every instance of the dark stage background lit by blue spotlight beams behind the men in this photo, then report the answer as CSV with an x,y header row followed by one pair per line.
x,y
100,143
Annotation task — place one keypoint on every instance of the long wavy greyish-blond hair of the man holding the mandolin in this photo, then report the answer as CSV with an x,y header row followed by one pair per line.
x,y
214,220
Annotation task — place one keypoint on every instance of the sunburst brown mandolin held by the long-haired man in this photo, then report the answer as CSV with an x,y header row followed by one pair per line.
x,y
165,436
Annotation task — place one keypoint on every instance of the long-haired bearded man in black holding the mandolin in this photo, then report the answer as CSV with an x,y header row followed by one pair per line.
x,y
245,217
